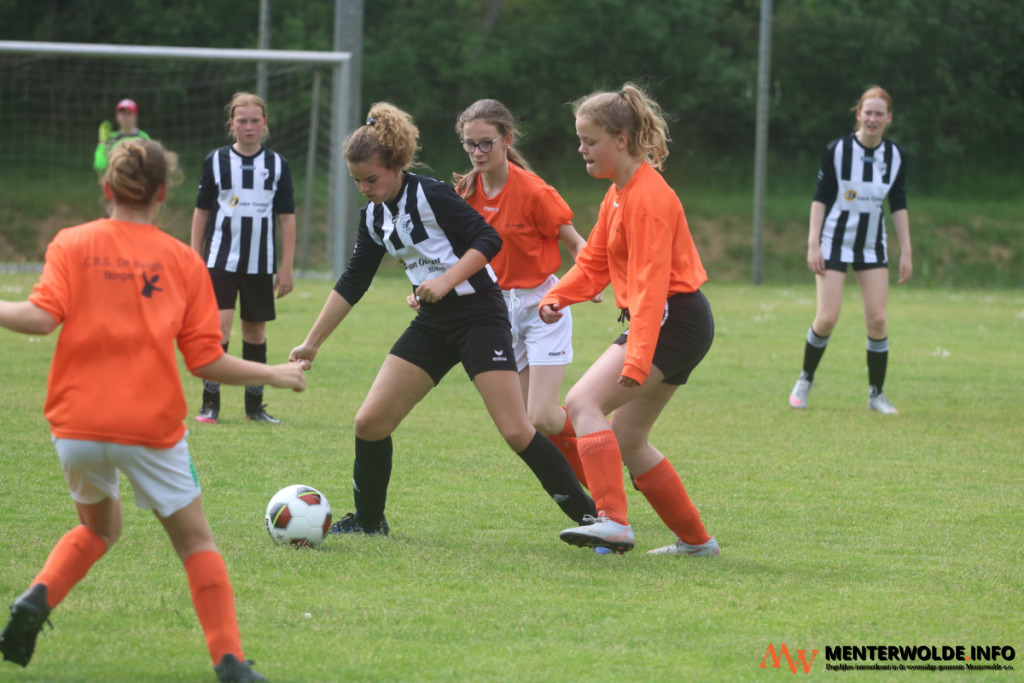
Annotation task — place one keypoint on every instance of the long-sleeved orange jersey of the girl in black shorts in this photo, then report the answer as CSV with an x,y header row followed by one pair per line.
x,y
643,245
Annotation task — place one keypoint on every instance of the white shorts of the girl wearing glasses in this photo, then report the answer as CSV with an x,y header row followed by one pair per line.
x,y
534,341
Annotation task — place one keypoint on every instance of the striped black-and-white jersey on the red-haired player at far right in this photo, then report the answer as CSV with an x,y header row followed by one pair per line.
x,y
852,184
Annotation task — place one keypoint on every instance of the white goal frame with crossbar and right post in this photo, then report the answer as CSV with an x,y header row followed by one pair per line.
x,y
342,66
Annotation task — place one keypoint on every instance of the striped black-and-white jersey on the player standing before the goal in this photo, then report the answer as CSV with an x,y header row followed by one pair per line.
x,y
243,196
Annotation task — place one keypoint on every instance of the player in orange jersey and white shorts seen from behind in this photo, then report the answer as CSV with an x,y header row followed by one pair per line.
x,y
125,293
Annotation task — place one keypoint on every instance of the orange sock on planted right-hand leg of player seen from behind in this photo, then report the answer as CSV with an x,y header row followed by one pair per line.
x,y
214,600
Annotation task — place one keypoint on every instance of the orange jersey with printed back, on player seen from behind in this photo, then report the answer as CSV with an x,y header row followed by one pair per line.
x,y
125,293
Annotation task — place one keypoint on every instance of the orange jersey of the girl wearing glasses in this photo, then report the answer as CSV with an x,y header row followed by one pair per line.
x,y
527,214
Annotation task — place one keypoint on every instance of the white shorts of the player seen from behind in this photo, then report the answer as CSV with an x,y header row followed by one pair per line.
x,y
162,480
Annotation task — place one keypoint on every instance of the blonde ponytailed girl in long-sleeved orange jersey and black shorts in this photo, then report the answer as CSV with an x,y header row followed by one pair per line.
x,y
643,245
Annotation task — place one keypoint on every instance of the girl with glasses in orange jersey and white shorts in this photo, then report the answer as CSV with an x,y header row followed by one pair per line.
x,y
532,219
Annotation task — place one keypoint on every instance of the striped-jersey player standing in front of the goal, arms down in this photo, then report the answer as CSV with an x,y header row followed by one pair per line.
x,y
244,194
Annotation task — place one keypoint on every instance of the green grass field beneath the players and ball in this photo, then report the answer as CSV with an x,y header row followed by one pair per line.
x,y
838,527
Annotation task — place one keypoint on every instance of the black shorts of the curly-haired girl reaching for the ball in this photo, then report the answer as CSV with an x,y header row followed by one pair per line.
x,y
473,330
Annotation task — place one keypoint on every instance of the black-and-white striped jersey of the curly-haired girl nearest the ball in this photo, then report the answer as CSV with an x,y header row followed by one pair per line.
x,y
429,228
